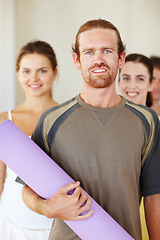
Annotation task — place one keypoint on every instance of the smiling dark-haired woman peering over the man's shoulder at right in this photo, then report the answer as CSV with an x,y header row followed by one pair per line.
x,y
135,82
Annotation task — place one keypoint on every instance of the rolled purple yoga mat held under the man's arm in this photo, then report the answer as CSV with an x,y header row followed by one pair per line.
x,y
45,177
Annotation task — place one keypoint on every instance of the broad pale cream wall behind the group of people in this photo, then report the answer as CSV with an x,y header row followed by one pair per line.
x,y
57,21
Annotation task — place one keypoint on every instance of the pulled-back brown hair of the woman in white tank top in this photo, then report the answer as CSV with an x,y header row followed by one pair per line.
x,y
39,47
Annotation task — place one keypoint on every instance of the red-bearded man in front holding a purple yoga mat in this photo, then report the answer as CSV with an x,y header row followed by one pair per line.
x,y
108,145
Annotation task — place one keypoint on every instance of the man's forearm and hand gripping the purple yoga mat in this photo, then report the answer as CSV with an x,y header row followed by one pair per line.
x,y
61,205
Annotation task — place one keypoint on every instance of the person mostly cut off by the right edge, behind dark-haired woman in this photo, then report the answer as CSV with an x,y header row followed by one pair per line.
x,y
155,94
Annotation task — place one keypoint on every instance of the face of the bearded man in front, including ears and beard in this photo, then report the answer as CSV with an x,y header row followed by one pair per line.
x,y
99,60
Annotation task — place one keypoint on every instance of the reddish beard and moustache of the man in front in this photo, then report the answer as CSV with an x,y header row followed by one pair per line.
x,y
100,81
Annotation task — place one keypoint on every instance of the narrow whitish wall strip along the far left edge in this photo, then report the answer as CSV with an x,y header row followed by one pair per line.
x,y
7,55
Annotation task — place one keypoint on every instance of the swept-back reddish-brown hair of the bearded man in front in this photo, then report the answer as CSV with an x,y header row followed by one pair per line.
x,y
97,23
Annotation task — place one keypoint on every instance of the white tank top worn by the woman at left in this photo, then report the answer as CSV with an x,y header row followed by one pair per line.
x,y
13,206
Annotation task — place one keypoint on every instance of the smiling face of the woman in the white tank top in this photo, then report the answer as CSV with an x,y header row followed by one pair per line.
x,y
36,75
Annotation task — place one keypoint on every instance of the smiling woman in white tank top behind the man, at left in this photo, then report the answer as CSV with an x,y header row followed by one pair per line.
x,y
36,71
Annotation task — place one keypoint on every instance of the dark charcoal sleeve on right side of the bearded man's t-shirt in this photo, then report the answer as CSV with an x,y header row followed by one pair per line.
x,y
150,174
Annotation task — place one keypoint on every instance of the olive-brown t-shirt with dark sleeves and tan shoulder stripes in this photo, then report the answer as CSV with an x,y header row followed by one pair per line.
x,y
112,152
